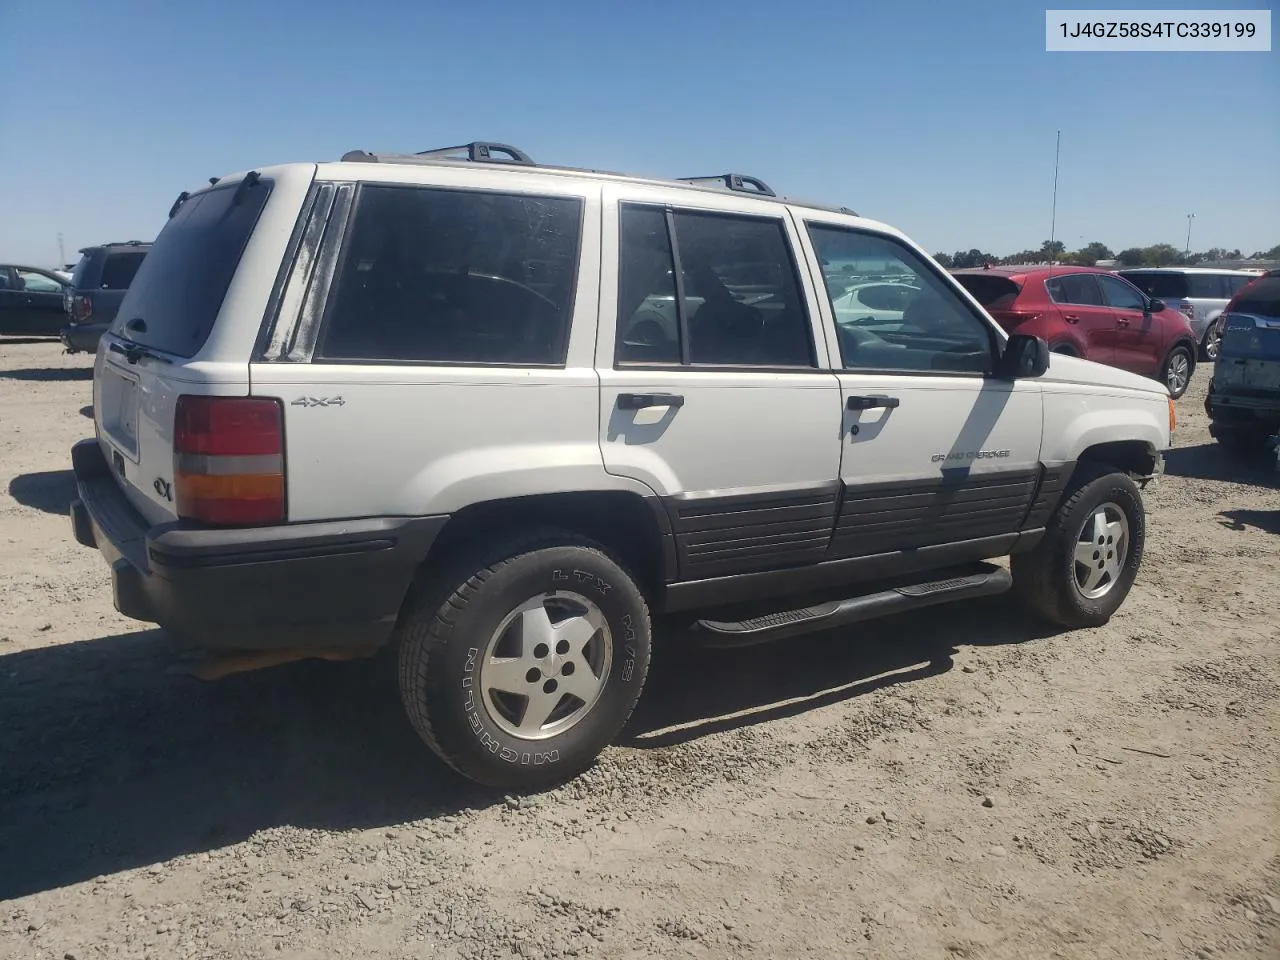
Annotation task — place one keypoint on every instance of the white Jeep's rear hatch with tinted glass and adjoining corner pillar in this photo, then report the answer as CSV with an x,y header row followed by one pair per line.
x,y
195,278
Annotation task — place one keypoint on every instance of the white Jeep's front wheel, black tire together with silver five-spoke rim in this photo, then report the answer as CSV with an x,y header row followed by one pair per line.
x,y
1082,570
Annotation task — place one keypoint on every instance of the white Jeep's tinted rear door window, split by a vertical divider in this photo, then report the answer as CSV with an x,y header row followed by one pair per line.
x,y
742,300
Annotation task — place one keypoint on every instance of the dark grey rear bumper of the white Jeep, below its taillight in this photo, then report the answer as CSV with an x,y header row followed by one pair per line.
x,y
331,586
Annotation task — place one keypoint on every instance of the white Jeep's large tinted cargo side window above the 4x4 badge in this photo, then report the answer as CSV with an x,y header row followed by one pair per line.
x,y
455,277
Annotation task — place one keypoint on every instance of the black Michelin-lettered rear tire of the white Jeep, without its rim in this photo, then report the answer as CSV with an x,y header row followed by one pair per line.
x,y
445,637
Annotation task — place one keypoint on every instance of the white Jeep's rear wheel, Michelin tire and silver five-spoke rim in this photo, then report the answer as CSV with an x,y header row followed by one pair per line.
x,y
524,662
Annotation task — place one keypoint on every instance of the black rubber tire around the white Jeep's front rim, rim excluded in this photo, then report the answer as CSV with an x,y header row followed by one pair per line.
x,y
1045,578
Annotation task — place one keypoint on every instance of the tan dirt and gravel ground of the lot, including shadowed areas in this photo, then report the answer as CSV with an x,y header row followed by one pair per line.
x,y
958,784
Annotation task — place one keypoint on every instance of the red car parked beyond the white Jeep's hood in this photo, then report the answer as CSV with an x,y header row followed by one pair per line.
x,y
1091,314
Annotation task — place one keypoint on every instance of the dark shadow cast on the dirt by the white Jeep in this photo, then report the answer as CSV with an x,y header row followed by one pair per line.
x,y
108,762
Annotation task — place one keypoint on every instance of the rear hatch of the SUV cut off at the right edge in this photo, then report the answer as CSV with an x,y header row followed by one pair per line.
x,y
1250,359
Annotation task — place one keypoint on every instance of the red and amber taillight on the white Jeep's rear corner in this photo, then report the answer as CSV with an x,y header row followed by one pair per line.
x,y
230,460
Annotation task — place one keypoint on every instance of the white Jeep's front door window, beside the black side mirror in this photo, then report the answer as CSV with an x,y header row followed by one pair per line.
x,y
932,330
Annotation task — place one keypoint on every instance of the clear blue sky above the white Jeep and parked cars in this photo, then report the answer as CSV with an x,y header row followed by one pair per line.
x,y
939,118
